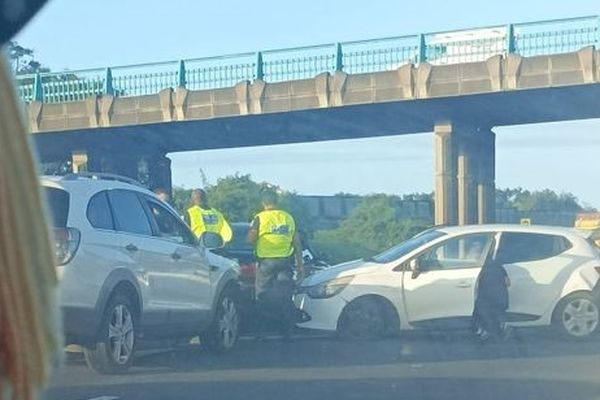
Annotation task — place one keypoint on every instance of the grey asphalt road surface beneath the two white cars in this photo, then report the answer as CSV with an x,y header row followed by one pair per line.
x,y
533,365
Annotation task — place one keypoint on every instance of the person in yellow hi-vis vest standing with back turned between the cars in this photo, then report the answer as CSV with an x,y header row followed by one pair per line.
x,y
273,232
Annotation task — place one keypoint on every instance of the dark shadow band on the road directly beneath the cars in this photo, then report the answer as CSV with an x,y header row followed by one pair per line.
x,y
331,352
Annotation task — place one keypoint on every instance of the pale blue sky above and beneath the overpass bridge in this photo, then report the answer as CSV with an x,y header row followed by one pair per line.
x,y
76,34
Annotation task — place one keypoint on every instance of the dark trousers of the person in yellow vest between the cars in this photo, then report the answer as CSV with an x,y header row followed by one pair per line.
x,y
274,291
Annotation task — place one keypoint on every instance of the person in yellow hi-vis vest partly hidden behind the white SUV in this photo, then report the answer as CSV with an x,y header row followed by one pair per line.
x,y
202,218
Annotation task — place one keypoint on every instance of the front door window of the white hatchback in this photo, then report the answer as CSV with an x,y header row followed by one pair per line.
x,y
467,251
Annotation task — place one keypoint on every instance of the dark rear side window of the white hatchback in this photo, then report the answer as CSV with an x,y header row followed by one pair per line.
x,y
523,246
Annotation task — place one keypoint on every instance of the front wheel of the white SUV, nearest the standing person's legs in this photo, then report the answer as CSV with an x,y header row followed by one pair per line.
x,y
224,330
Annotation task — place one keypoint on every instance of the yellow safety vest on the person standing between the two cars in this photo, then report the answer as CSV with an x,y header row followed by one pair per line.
x,y
276,231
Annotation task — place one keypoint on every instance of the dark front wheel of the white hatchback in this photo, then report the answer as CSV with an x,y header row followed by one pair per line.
x,y
362,319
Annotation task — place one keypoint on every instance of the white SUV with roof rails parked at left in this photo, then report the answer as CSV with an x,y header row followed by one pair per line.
x,y
130,269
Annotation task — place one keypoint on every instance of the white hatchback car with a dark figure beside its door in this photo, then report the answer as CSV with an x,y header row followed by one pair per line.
x,y
429,281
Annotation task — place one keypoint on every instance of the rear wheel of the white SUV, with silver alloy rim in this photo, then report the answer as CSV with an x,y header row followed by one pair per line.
x,y
115,348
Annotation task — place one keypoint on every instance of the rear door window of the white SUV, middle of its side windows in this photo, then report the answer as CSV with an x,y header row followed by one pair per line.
x,y
129,213
